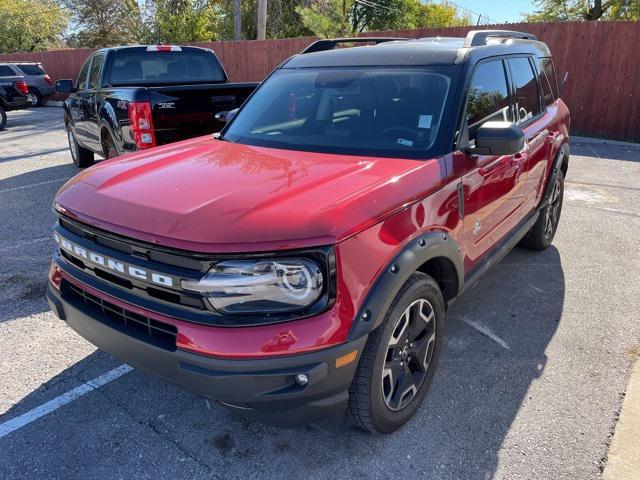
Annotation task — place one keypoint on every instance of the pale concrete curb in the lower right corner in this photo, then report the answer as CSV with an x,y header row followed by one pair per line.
x,y
623,459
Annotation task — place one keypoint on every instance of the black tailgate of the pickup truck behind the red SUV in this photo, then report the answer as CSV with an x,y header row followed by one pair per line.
x,y
185,111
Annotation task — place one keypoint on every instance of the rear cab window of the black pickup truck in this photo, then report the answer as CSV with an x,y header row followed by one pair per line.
x,y
158,68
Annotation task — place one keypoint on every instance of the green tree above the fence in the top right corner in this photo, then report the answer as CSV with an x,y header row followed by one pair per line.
x,y
565,10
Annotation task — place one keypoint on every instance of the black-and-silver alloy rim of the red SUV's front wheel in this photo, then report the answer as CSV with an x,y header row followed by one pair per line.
x,y
409,354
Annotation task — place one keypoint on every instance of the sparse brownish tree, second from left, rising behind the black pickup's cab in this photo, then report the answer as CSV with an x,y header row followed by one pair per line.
x,y
102,23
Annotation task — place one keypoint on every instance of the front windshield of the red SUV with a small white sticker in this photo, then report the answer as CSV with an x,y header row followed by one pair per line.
x,y
390,111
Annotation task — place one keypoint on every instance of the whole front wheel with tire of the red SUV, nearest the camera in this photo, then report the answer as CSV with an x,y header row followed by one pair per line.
x,y
379,400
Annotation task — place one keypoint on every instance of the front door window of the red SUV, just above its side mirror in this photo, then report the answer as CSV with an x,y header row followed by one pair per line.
x,y
488,97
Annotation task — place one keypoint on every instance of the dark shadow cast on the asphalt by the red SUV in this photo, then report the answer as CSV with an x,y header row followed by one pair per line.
x,y
458,433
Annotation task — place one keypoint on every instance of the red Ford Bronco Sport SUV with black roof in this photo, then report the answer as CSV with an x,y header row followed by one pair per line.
x,y
299,265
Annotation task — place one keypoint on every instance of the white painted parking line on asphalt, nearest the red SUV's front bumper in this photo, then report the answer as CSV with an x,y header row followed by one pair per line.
x,y
61,400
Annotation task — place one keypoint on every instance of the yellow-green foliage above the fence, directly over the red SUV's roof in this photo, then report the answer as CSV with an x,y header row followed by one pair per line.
x,y
329,18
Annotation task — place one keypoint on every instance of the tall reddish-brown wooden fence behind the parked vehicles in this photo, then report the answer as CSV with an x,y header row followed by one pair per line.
x,y
601,58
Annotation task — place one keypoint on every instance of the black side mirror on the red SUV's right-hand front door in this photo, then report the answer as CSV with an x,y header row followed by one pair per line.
x,y
497,138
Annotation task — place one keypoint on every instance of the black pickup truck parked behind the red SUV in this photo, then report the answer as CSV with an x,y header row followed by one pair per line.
x,y
133,98
